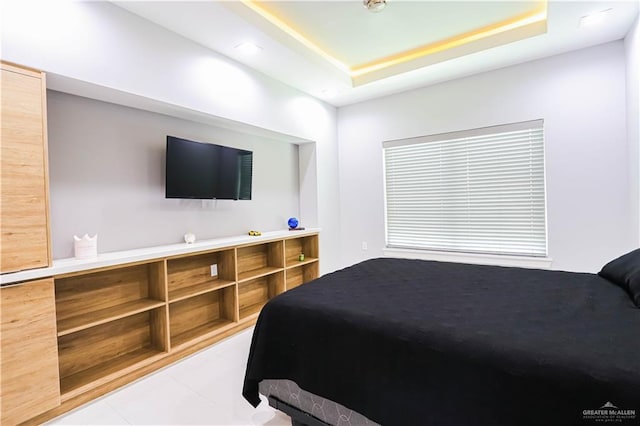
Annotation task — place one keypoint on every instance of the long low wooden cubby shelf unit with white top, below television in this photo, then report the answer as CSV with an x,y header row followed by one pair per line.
x,y
130,313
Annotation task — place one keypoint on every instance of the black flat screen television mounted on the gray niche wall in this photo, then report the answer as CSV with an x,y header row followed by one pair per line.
x,y
197,170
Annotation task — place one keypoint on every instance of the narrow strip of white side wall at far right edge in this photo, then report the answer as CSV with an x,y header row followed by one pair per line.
x,y
632,49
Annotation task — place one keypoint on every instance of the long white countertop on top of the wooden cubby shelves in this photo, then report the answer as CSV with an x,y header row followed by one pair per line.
x,y
65,266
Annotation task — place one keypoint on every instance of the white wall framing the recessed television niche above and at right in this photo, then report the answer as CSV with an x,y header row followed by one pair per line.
x,y
103,45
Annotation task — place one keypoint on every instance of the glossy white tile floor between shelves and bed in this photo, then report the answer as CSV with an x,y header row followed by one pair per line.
x,y
204,389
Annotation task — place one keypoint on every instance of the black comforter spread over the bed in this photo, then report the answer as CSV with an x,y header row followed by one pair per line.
x,y
411,342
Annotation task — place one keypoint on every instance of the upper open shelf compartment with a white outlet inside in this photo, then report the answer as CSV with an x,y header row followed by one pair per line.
x,y
193,275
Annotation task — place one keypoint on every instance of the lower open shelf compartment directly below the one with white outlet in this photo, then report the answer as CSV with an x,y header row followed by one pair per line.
x,y
198,317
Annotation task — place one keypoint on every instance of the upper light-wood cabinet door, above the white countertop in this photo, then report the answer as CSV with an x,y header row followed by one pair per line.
x,y
23,163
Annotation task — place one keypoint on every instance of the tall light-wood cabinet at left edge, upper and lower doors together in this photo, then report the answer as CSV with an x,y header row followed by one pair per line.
x,y
29,375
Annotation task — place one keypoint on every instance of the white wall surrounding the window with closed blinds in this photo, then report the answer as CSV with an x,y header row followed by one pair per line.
x,y
580,96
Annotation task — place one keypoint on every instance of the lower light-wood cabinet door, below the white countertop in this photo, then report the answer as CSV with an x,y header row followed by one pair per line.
x,y
29,378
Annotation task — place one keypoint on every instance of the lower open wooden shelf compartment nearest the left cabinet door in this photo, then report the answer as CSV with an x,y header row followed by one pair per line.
x,y
96,355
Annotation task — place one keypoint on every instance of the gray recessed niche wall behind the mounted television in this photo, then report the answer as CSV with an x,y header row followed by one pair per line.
x,y
106,167
